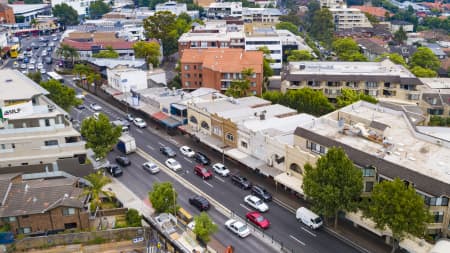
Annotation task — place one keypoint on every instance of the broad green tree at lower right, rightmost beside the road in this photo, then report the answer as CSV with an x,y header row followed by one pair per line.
x,y
397,206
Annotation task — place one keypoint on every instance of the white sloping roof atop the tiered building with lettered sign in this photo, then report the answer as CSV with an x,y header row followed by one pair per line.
x,y
16,86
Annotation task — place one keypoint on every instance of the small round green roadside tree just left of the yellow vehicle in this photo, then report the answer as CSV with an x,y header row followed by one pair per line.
x,y
163,198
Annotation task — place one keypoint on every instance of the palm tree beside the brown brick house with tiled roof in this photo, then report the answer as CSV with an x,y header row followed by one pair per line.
x,y
95,189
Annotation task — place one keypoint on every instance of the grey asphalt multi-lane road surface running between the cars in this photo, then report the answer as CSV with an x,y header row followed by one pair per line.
x,y
284,226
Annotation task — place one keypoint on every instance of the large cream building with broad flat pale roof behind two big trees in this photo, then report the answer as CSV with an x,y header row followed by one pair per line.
x,y
384,144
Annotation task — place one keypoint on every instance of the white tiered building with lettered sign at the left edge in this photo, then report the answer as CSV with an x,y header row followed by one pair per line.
x,y
33,130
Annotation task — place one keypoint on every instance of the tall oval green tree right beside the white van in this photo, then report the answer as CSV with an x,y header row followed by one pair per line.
x,y
334,184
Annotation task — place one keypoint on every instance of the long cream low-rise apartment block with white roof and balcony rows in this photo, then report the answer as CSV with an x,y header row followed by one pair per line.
x,y
383,80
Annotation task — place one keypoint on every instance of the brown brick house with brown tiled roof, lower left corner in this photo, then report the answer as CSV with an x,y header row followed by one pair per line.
x,y
41,205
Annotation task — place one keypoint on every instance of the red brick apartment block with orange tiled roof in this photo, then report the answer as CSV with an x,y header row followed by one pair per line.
x,y
217,68
